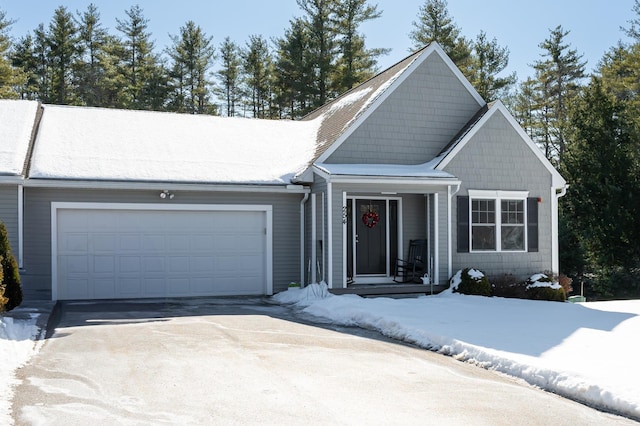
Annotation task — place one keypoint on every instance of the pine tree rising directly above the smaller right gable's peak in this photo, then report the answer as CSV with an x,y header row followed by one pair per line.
x,y
487,61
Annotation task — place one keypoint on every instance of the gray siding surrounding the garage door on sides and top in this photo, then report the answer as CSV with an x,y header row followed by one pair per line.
x,y
37,230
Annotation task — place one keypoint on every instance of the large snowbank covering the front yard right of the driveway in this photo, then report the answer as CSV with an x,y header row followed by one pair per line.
x,y
581,351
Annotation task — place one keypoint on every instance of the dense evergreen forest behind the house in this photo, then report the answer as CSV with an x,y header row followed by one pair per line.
x,y
586,123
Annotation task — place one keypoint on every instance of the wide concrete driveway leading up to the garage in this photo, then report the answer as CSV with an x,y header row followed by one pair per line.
x,y
245,361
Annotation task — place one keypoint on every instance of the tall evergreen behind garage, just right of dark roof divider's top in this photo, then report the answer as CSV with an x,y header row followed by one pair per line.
x,y
63,54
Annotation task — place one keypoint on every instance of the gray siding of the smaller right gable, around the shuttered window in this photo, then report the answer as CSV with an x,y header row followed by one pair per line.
x,y
498,159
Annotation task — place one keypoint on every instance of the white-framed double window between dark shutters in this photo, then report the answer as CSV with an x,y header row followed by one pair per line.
x,y
498,221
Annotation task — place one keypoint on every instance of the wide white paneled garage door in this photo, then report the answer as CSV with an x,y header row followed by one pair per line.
x,y
113,254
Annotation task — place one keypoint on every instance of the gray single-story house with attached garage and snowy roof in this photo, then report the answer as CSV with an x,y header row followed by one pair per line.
x,y
115,204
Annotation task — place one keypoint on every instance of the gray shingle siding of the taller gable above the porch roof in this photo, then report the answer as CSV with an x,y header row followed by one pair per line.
x,y
415,122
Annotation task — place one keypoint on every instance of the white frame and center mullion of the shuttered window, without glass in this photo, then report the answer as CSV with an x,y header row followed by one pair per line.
x,y
498,197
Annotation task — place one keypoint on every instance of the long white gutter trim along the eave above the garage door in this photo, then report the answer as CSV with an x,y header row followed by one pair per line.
x,y
173,186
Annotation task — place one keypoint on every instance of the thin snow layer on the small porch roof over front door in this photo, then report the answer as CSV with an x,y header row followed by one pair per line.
x,y
425,170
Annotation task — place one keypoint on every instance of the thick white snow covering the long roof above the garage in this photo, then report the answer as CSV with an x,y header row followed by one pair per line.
x,y
109,144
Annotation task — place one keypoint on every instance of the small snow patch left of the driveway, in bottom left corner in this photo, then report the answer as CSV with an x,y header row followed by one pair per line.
x,y
17,345
